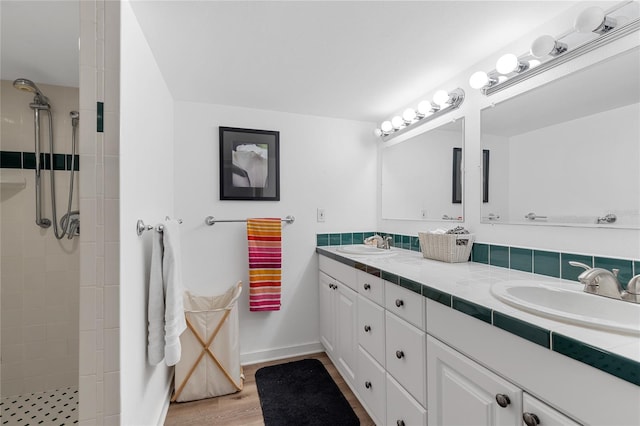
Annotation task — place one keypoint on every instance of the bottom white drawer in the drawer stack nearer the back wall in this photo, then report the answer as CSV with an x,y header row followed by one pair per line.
x,y
371,385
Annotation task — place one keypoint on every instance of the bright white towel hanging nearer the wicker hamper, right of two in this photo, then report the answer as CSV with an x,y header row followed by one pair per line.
x,y
174,320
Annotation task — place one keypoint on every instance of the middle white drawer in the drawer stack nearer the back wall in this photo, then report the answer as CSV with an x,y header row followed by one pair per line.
x,y
371,329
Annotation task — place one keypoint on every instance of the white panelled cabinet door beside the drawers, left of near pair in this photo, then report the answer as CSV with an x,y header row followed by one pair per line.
x,y
462,392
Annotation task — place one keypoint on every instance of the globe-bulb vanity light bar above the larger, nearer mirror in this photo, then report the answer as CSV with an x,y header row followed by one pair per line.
x,y
548,52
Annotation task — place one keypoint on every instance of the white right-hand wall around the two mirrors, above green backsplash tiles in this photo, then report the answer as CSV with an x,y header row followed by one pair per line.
x,y
622,243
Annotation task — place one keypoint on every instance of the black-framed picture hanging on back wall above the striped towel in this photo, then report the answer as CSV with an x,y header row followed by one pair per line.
x,y
249,164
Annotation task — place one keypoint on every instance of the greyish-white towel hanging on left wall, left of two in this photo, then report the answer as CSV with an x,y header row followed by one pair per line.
x,y
155,309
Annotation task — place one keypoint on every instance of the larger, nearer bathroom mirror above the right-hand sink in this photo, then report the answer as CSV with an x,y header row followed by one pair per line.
x,y
568,153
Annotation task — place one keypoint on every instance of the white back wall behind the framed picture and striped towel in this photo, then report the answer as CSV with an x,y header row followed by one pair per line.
x,y
324,162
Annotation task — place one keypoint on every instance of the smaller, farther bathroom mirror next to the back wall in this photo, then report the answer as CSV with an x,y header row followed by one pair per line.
x,y
422,176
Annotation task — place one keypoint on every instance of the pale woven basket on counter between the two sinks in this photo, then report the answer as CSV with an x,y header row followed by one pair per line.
x,y
452,248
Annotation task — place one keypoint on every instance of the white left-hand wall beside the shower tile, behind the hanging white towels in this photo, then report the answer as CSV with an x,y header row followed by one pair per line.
x,y
147,147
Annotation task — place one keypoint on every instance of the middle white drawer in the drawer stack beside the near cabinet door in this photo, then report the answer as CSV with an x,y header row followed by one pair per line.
x,y
406,356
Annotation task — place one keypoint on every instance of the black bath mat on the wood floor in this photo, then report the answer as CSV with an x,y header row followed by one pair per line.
x,y
302,393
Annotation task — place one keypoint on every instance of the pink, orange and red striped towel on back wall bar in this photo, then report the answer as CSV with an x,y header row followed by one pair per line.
x,y
265,261
